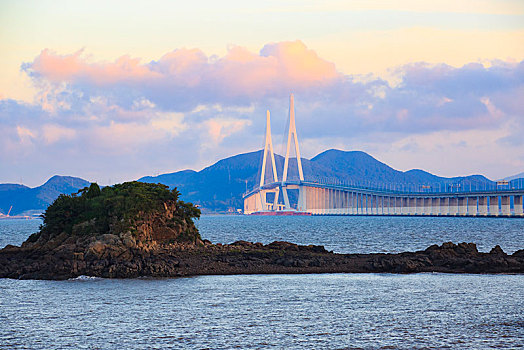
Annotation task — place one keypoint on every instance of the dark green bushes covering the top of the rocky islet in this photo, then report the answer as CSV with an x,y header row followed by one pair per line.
x,y
115,209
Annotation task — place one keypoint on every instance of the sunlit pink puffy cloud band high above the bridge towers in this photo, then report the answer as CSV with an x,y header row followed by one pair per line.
x,y
278,67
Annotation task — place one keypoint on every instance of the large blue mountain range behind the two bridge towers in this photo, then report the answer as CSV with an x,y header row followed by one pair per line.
x,y
221,185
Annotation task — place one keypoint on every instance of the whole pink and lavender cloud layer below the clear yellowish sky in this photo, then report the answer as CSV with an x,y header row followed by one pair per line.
x,y
187,109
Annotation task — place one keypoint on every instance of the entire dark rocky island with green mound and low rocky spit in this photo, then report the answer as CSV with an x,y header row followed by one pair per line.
x,y
139,229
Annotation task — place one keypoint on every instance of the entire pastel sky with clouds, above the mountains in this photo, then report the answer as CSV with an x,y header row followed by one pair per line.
x,y
113,91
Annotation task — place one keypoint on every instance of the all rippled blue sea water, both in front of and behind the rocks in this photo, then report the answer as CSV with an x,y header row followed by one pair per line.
x,y
281,311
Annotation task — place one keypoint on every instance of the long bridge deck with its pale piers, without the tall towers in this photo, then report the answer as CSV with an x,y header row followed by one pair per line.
x,y
334,199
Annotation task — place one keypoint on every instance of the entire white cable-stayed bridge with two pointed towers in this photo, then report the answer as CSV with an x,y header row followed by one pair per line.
x,y
320,196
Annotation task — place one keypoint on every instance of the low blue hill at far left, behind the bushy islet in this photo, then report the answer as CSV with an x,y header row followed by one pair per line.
x,y
24,198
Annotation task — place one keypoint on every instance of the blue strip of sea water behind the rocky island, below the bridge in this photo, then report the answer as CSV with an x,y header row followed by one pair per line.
x,y
342,234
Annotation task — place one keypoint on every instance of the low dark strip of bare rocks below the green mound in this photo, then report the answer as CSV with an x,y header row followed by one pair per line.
x,y
109,258
